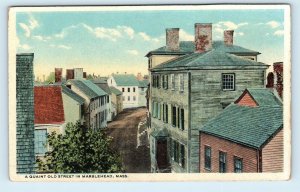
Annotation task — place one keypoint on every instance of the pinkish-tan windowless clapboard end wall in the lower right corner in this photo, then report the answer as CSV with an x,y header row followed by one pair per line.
x,y
272,154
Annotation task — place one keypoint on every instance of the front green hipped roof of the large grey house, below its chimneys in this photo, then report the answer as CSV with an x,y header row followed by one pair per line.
x,y
211,58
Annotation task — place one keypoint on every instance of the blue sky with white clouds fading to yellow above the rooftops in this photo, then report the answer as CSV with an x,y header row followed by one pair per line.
x,y
105,42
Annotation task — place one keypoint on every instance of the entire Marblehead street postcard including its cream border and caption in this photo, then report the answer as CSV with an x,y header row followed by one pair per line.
x,y
150,93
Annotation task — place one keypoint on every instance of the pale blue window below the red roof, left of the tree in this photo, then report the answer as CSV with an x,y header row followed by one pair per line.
x,y
40,140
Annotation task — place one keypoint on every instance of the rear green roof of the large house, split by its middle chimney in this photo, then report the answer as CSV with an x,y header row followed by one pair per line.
x,y
187,47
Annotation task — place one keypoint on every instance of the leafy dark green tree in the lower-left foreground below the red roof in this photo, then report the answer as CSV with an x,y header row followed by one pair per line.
x,y
80,151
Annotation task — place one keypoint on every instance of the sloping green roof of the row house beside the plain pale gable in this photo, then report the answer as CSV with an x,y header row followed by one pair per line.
x,y
88,88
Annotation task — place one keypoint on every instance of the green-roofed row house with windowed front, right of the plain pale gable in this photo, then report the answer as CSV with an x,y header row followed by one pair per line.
x,y
95,102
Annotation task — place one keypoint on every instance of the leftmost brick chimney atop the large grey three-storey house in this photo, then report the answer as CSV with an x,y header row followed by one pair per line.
x,y
172,39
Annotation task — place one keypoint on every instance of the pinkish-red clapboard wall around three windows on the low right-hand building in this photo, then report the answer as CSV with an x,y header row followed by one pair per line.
x,y
231,149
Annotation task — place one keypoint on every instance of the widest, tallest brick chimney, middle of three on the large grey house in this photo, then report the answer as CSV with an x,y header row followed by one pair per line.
x,y
203,37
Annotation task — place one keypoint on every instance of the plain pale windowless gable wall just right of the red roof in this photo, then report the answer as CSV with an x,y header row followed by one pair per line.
x,y
73,106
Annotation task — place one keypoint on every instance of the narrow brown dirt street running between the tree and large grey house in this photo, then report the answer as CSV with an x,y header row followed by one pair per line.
x,y
130,139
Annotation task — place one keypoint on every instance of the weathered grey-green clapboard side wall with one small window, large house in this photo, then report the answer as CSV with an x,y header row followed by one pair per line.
x,y
208,99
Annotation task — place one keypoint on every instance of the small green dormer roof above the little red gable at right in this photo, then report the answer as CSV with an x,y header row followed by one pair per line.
x,y
263,97
